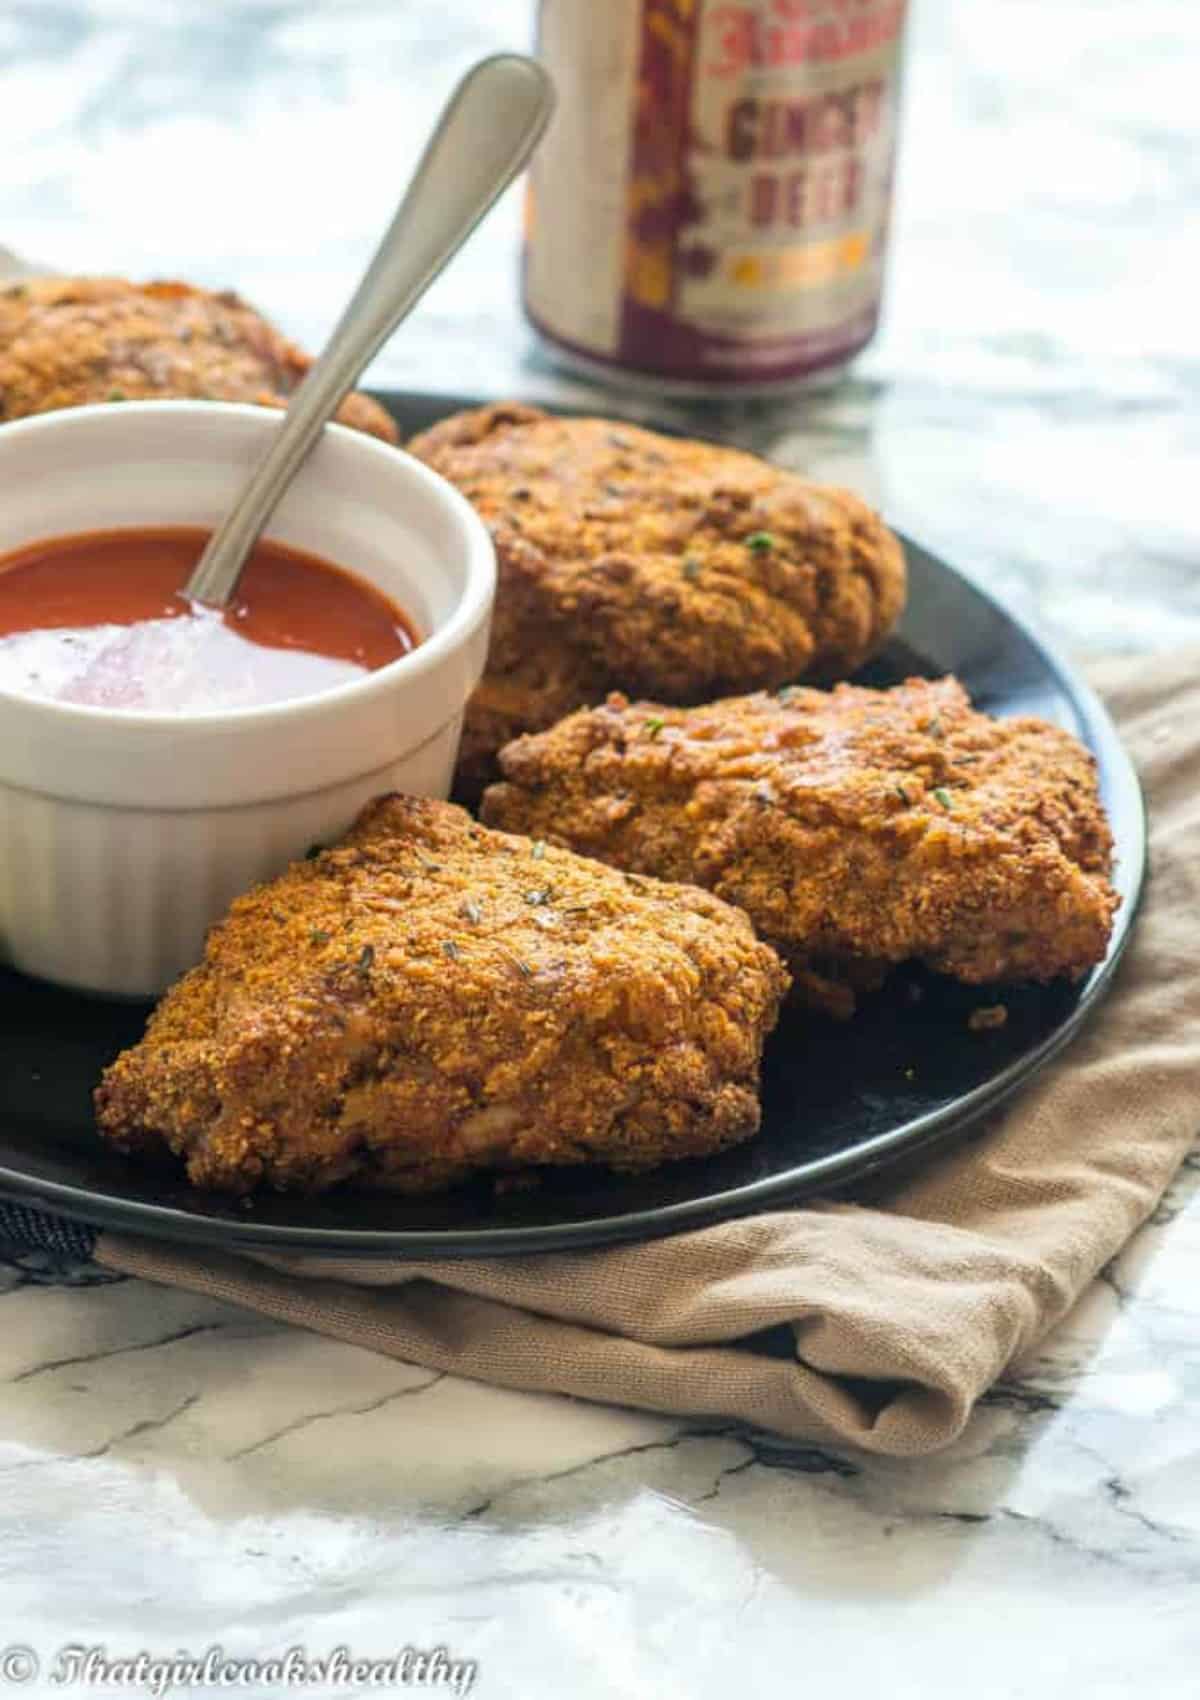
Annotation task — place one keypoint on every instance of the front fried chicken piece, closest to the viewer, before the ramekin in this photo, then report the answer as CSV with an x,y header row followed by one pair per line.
x,y
431,999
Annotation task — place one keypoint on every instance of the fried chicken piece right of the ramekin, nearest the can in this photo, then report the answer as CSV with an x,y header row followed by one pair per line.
x,y
655,565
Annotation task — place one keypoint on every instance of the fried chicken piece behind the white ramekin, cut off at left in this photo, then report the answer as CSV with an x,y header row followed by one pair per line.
x,y
71,341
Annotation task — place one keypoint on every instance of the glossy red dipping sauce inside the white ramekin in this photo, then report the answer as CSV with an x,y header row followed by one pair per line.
x,y
101,620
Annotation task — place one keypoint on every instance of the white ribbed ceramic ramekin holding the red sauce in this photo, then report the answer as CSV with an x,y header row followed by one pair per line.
x,y
125,836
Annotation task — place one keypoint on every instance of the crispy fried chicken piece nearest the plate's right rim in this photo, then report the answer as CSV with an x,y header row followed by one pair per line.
x,y
858,829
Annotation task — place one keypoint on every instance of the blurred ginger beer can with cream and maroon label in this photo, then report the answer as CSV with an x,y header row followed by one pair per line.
x,y
710,210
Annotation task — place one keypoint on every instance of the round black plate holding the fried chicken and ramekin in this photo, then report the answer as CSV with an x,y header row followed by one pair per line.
x,y
839,1099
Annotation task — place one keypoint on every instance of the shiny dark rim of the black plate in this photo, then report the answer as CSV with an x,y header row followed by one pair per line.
x,y
790,1186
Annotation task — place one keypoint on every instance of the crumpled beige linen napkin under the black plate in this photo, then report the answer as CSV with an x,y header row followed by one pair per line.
x,y
903,1310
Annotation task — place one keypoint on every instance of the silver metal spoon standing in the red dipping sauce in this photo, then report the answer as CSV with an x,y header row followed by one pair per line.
x,y
484,139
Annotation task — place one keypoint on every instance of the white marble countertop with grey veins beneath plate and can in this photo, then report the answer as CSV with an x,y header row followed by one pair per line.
x,y
181,1475
